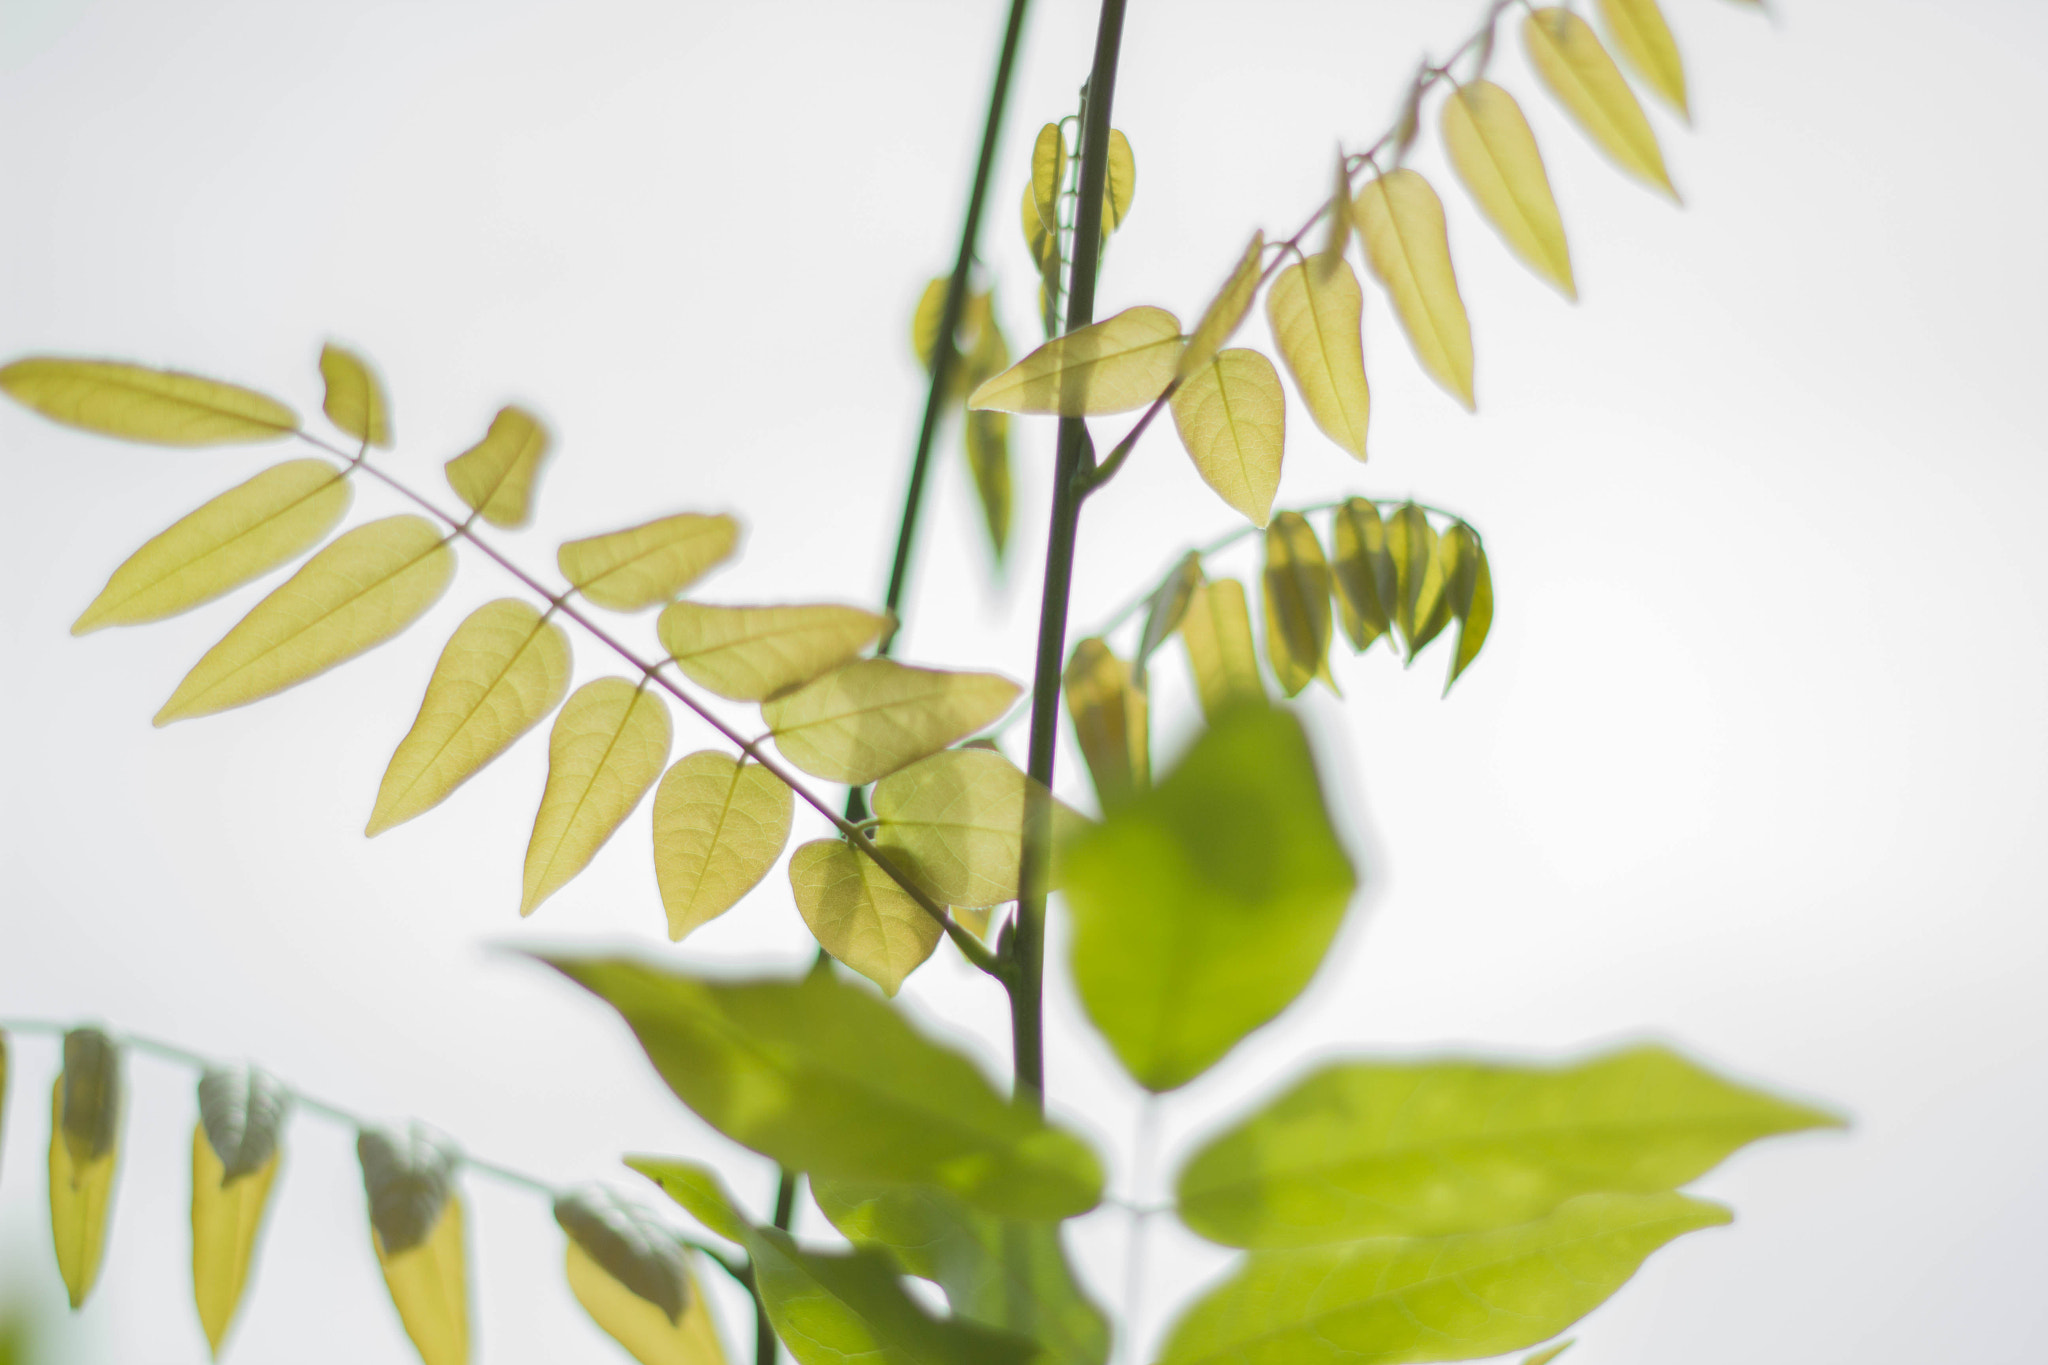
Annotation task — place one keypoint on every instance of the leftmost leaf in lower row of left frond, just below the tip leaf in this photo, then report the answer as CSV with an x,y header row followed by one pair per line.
x,y
245,533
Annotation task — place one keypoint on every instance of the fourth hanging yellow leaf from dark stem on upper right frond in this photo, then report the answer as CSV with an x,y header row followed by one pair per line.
x,y
1496,157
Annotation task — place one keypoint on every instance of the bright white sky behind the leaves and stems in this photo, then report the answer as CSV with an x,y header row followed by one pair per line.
x,y
1754,758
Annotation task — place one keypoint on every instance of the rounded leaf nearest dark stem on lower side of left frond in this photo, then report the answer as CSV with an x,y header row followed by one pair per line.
x,y
859,916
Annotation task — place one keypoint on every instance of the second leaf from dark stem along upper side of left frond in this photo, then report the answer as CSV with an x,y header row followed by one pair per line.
x,y
873,717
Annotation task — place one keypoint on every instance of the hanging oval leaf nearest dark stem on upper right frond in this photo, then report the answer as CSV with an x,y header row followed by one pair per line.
x,y
1232,419
